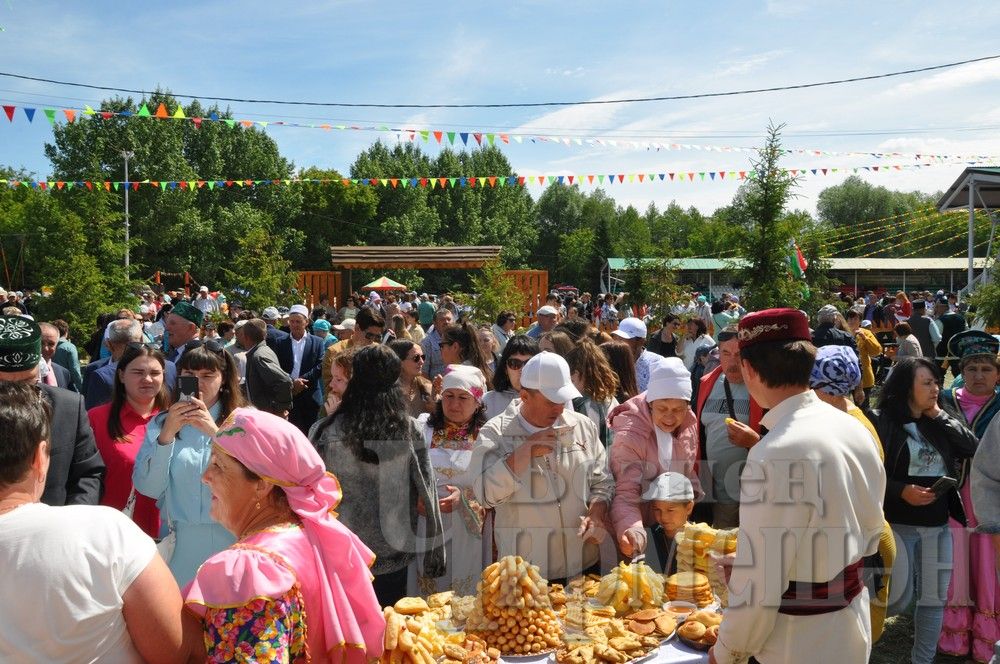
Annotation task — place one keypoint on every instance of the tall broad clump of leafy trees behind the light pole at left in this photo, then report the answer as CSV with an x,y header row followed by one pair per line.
x,y
172,229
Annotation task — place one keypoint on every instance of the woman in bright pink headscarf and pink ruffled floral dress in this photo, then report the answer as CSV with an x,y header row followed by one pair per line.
x,y
296,586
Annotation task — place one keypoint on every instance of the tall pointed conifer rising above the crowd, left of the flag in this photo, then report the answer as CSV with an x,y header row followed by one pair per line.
x,y
759,206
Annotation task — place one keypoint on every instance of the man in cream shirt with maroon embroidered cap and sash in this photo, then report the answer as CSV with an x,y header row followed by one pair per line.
x,y
810,511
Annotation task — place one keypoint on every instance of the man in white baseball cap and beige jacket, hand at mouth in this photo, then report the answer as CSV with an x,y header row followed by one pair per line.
x,y
543,469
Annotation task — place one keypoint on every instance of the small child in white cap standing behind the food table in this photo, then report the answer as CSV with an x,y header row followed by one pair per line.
x,y
670,499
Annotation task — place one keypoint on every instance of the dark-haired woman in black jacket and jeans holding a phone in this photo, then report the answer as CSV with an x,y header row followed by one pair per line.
x,y
923,443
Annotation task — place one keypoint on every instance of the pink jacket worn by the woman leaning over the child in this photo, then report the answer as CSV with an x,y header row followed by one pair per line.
x,y
635,462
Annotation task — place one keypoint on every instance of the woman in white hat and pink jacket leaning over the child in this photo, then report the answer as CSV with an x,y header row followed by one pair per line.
x,y
655,432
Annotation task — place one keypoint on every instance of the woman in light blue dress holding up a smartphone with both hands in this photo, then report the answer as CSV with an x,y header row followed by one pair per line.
x,y
176,449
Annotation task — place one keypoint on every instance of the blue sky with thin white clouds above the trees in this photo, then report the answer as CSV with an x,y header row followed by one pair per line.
x,y
392,52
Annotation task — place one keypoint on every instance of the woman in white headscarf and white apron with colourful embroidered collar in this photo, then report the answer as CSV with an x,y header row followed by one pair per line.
x,y
450,433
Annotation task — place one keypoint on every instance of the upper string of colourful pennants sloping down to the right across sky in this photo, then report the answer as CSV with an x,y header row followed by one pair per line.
x,y
460,138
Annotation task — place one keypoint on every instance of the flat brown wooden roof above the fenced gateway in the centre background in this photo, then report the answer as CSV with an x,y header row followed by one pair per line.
x,y
412,257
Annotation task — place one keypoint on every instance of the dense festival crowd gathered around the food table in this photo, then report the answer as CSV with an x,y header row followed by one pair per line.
x,y
269,481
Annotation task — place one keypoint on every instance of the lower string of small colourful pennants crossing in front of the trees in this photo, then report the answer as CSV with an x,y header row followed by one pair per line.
x,y
452,182
